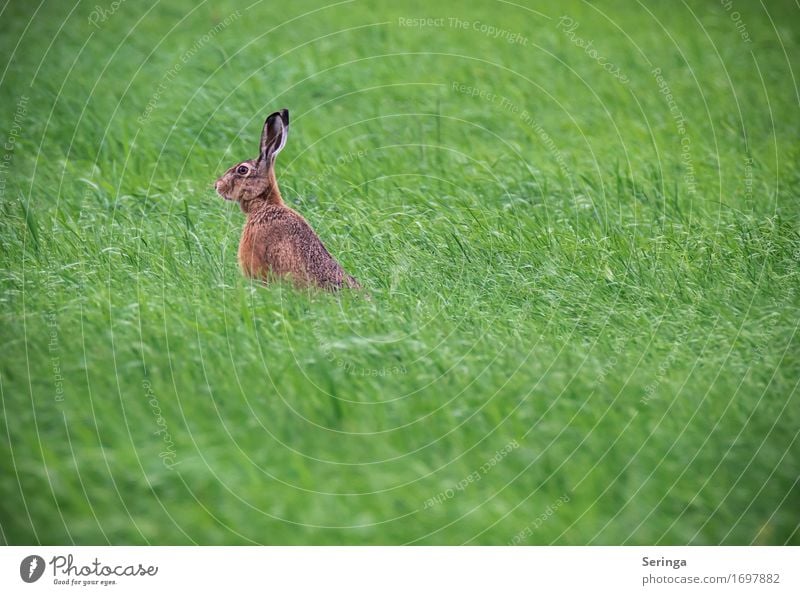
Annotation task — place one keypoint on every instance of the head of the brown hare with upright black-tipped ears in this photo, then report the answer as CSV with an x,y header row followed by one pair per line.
x,y
253,180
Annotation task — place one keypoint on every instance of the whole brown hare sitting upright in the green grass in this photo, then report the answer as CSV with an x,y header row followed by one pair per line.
x,y
276,240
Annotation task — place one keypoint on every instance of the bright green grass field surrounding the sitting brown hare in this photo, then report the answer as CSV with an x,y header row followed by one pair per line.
x,y
551,274
